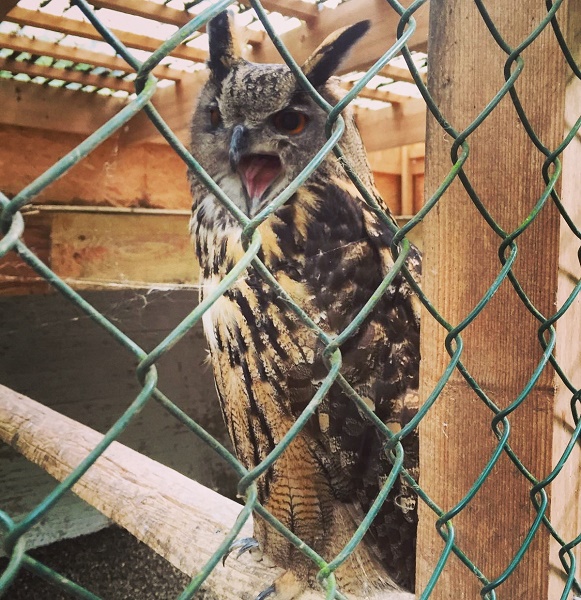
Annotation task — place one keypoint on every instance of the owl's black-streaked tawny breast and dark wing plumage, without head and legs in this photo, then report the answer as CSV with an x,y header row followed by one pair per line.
x,y
330,252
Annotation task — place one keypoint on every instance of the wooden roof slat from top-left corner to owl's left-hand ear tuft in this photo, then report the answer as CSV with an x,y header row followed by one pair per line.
x,y
36,18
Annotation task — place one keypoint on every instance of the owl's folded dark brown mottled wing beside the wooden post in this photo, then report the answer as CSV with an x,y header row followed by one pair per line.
x,y
347,255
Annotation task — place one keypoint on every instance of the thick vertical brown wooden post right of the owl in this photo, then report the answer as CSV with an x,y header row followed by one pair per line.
x,y
501,348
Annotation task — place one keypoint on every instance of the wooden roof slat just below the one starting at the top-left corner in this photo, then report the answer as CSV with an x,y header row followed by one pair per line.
x,y
23,44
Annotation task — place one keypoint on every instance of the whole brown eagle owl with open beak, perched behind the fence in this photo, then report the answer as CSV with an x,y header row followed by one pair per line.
x,y
254,130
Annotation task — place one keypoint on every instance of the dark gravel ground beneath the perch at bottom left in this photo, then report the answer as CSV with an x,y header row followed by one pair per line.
x,y
111,563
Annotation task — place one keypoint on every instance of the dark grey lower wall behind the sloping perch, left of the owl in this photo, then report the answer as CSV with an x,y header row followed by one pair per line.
x,y
54,353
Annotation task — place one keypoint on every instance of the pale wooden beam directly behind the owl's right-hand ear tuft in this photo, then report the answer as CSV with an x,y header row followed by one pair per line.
x,y
303,40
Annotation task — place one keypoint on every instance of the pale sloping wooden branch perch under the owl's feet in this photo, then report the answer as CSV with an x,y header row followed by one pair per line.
x,y
180,519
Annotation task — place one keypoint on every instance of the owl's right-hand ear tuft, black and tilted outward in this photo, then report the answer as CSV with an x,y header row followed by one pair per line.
x,y
326,59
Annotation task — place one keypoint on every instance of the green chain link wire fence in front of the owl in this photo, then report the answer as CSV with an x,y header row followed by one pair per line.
x,y
13,533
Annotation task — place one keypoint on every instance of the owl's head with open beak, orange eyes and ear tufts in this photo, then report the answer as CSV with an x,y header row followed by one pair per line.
x,y
254,128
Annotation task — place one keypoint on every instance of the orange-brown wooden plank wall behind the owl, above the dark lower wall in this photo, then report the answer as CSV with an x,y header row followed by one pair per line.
x,y
121,215
